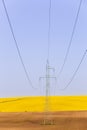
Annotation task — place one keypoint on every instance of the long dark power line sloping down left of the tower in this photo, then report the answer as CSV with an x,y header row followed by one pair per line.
x,y
16,44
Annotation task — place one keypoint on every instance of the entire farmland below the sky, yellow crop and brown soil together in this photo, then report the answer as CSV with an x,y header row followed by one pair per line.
x,y
27,113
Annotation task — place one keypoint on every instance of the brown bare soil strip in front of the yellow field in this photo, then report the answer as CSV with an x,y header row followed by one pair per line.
x,y
76,120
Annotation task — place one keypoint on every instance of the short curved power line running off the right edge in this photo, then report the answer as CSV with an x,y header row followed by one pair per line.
x,y
71,80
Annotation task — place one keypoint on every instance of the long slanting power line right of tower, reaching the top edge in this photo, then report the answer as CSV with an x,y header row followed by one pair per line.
x,y
71,38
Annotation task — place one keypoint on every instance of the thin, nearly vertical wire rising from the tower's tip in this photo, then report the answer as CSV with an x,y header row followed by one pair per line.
x,y
49,29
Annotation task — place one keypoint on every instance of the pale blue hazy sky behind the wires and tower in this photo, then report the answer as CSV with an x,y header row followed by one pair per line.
x,y
29,19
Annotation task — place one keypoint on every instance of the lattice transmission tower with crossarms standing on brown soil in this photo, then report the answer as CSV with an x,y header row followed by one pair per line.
x,y
48,78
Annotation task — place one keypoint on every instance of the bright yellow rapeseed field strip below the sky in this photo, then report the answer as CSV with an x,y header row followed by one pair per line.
x,y
37,103
